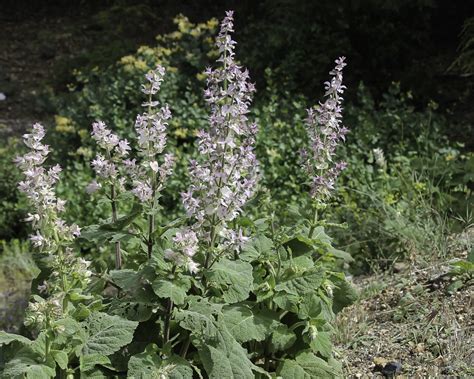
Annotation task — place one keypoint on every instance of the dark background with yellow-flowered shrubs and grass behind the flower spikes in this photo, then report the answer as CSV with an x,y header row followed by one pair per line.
x,y
408,187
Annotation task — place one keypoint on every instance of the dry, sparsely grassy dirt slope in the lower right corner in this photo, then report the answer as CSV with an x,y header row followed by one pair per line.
x,y
416,318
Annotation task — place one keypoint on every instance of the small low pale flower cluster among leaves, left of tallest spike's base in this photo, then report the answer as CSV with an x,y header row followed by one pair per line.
x,y
185,247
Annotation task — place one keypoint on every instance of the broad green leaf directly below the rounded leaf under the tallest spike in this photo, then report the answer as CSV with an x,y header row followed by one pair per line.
x,y
245,325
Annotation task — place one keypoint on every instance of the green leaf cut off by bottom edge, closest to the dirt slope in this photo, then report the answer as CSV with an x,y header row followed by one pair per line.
x,y
306,366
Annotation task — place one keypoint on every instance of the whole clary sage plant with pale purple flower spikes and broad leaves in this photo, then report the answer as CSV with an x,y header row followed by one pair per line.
x,y
217,293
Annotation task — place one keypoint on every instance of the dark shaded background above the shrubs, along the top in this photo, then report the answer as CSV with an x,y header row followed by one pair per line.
x,y
410,41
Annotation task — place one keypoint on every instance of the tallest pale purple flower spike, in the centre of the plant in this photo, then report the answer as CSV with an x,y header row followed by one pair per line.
x,y
226,177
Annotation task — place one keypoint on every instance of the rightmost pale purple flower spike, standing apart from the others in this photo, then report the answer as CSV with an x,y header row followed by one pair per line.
x,y
325,132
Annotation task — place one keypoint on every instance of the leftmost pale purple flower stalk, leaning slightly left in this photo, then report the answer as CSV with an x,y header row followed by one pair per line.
x,y
53,236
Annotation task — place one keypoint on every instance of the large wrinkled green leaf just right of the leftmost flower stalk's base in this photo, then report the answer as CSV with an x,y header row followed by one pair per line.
x,y
107,334
